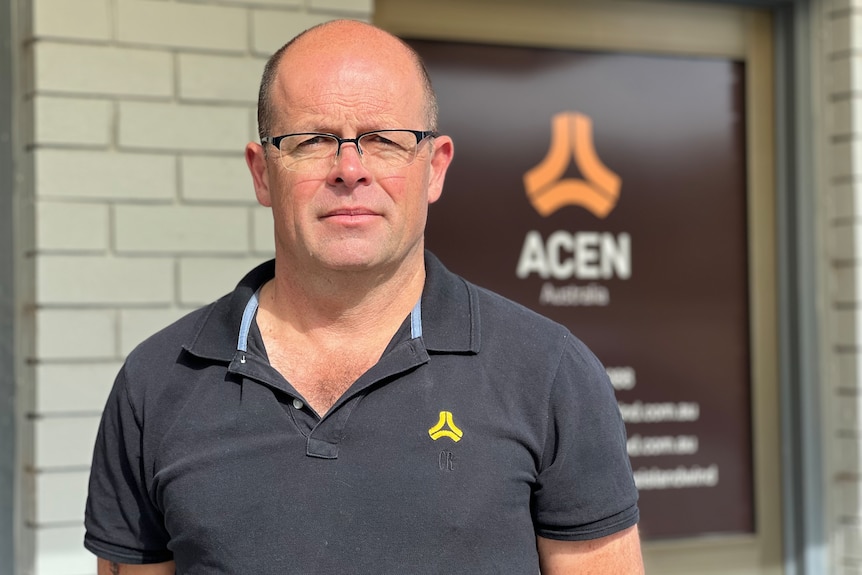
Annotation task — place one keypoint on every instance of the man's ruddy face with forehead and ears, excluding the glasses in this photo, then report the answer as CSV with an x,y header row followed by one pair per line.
x,y
349,217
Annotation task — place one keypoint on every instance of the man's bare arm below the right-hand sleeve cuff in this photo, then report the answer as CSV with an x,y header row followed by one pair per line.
x,y
617,554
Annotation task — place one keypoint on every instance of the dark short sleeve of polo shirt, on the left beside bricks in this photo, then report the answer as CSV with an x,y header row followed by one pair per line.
x,y
122,524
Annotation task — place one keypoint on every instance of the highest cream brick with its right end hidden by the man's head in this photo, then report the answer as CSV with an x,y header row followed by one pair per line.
x,y
219,78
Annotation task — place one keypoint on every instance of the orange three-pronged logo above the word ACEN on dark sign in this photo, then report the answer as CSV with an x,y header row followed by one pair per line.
x,y
572,136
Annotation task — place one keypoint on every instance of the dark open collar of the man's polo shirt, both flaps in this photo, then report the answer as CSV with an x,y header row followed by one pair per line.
x,y
450,314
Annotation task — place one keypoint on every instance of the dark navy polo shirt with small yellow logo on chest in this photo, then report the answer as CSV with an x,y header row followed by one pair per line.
x,y
482,426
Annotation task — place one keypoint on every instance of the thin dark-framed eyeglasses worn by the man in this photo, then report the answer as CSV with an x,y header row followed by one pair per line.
x,y
379,150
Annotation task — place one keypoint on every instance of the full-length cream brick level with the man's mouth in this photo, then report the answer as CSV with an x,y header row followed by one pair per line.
x,y
185,229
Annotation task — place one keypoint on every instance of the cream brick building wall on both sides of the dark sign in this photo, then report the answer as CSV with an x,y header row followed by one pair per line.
x,y
137,113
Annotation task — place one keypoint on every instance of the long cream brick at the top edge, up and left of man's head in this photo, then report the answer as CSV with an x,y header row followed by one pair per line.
x,y
182,25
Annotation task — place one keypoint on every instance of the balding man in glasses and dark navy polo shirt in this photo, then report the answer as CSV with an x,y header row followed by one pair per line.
x,y
353,407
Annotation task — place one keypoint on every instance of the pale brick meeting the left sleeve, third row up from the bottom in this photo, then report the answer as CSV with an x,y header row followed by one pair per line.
x,y
64,442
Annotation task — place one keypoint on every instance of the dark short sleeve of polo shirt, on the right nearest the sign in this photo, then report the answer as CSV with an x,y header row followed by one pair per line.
x,y
585,486
